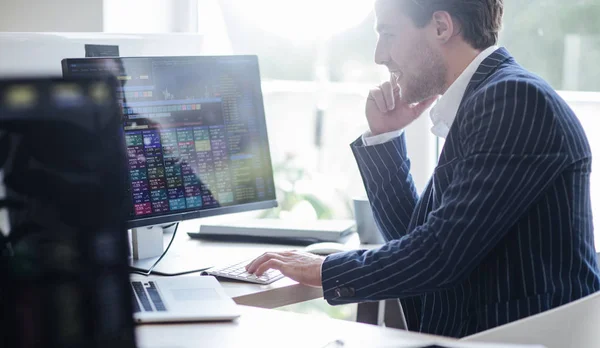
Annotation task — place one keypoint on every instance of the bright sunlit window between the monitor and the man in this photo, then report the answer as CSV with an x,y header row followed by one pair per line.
x,y
315,91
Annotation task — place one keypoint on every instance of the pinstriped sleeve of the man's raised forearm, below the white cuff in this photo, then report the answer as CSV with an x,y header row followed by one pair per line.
x,y
385,170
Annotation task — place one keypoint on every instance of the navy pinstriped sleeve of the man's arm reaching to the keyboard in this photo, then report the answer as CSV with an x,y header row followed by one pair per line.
x,y
512,151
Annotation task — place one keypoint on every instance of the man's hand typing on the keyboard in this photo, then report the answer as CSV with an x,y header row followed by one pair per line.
x,y
302,267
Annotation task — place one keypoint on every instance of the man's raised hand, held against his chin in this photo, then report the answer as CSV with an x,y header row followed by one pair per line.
x,y
387,112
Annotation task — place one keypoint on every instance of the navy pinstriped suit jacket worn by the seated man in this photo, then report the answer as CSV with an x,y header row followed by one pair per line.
x,y
503,229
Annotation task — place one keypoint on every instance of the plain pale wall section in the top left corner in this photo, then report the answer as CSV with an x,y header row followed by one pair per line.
x,y
51,15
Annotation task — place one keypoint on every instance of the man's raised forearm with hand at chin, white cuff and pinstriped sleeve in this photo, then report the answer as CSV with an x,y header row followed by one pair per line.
x,y
382,158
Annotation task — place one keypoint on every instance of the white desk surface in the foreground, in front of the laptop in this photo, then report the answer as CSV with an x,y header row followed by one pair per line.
x,y
268,328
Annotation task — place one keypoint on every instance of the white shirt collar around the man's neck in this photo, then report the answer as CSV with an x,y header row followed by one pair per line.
x,y
444,112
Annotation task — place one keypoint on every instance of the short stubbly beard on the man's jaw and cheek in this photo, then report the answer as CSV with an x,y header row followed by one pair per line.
x,y
427,79
